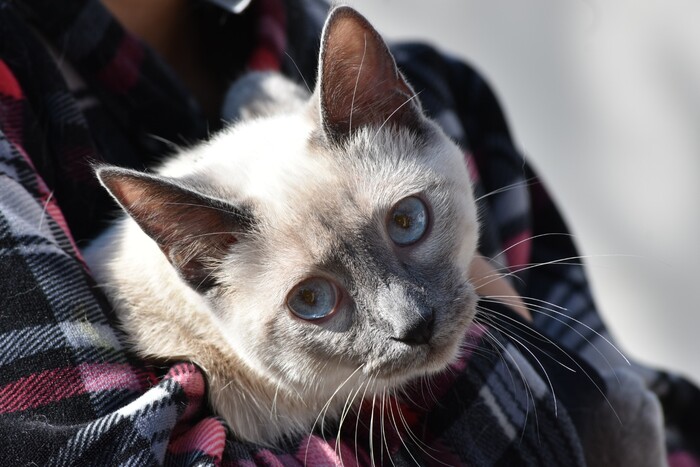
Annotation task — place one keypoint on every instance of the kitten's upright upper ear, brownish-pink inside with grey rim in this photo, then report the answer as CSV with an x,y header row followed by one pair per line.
x,y
358,82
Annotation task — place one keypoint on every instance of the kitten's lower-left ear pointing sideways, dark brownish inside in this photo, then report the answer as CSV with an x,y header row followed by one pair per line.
x,y
194,231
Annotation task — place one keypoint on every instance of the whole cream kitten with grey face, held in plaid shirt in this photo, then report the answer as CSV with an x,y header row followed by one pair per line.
x,y
319,246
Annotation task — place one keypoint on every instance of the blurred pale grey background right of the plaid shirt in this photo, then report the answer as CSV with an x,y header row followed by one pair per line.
x,y
603,98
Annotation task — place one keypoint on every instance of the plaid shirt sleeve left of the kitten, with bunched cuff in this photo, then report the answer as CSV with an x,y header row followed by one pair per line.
x,y
69,394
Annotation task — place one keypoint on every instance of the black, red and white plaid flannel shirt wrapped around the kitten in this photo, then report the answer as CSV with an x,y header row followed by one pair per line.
x,y
76,88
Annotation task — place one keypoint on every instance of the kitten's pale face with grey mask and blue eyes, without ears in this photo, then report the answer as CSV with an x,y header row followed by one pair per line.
x,y
365,266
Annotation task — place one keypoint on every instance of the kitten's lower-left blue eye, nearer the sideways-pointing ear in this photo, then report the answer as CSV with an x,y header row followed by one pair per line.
x,y
313,298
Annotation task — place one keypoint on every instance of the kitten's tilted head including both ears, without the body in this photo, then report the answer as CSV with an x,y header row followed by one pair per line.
x,y
339,243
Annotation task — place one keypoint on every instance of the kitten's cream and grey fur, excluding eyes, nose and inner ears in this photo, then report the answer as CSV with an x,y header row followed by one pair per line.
x,y
313,201
